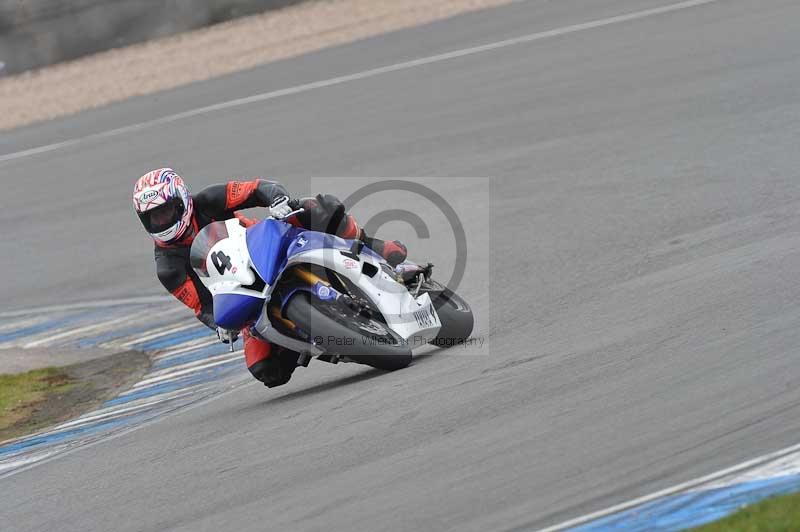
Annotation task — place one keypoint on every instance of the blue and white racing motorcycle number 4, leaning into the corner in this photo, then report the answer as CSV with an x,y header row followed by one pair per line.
x,y
323,296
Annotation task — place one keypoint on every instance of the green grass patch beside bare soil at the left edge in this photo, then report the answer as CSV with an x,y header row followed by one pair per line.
x,y
22,392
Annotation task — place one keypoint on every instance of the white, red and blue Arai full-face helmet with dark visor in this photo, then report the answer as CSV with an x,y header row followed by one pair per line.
x,y
163,204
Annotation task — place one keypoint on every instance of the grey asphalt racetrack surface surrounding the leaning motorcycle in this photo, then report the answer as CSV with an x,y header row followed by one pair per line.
x,y
643,319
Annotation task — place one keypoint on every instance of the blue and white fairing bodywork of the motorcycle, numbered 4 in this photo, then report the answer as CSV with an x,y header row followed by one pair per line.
x,y
241,266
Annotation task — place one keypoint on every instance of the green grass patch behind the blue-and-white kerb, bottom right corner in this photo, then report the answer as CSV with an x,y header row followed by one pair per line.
x,y
777,514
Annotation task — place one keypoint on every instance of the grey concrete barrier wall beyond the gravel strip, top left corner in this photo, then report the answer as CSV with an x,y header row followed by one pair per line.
x,y
35,33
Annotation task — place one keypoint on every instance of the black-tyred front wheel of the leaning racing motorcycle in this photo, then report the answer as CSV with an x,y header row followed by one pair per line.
x,y
340,331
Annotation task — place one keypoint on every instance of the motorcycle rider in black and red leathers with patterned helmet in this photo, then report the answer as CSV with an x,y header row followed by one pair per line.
x,y
173,217
